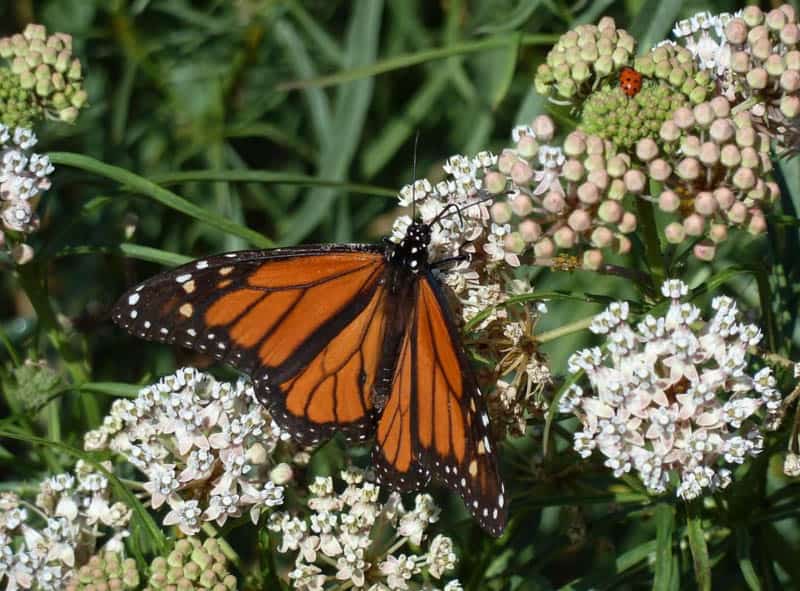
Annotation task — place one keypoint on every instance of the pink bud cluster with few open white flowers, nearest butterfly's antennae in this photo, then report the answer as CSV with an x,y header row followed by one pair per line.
x,y
564,199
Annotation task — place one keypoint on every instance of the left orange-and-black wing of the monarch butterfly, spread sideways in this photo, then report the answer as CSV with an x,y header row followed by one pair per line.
x,y
307,324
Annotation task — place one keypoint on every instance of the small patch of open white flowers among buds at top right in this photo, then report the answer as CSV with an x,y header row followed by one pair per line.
x,y
704,36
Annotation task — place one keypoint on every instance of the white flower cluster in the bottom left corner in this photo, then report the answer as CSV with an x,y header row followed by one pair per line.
x,y
42,543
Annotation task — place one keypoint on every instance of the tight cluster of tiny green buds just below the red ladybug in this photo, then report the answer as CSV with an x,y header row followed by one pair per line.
x,y
624,120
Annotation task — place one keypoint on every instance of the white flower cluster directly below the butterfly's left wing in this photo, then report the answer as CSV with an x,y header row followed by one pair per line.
x,y
207,448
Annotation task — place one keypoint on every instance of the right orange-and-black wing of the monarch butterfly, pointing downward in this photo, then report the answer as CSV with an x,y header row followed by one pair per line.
x,y
435,418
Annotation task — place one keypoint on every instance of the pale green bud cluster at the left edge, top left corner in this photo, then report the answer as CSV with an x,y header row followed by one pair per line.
x,y
49,79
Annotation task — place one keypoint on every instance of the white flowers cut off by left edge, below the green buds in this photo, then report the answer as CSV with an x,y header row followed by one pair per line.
x,y
24,176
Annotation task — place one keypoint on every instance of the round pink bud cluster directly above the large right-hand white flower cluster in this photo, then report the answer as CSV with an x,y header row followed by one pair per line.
x,y
711,164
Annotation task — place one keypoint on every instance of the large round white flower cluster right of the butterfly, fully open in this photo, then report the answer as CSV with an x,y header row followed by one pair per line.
x,y
669,399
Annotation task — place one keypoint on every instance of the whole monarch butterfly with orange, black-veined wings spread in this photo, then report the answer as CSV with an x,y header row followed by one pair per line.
x,y
355,338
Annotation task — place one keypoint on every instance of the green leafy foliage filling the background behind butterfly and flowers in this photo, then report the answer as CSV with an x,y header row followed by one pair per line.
x,y
276,122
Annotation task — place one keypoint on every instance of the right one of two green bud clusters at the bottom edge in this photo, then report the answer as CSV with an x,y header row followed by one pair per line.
x,y
192,565
